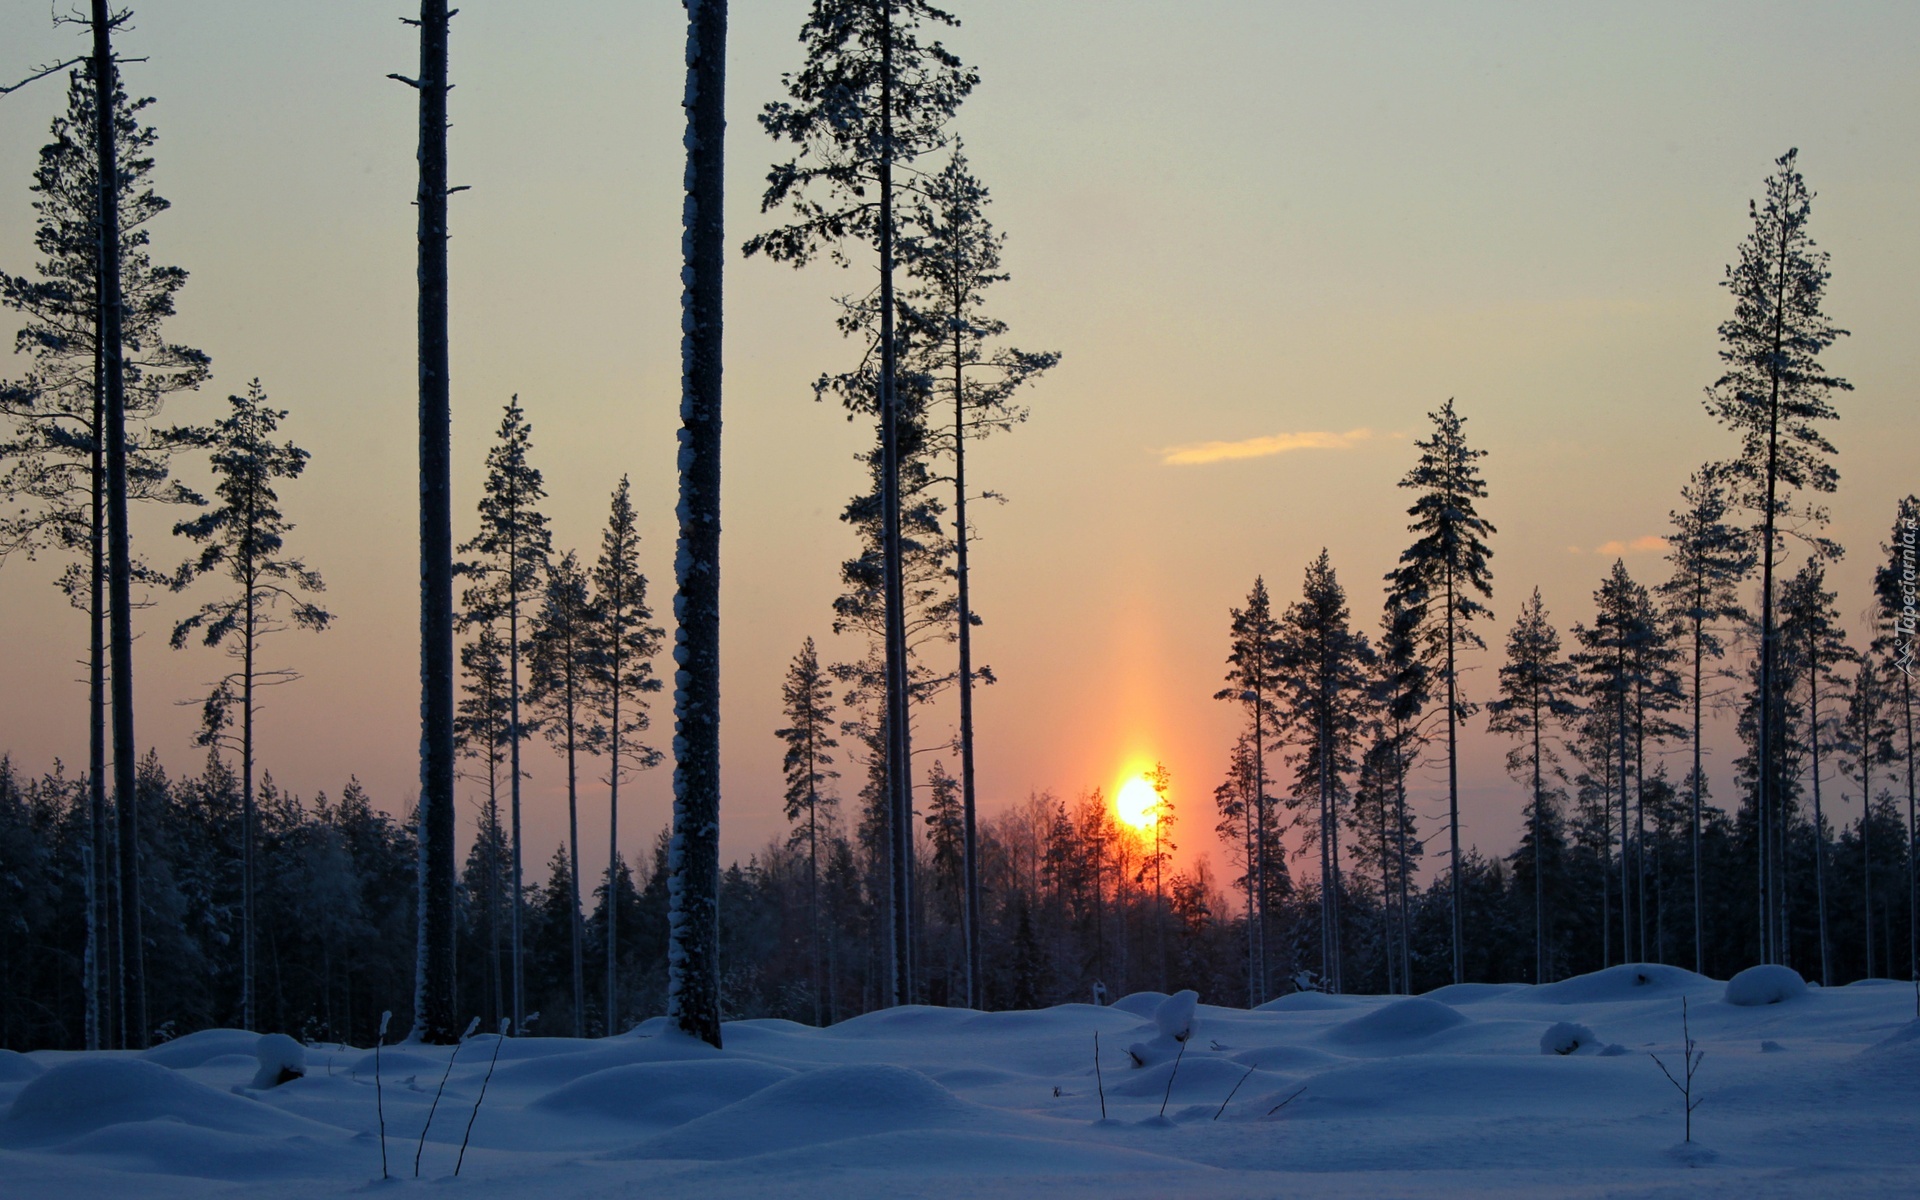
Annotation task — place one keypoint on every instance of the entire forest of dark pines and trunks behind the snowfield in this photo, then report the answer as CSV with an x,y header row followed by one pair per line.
x,y
143,905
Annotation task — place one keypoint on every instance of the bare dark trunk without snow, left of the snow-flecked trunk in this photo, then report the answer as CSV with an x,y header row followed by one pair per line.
x,y
435,976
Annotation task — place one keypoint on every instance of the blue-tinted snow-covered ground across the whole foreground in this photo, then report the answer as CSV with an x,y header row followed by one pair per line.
x,y
1458,1093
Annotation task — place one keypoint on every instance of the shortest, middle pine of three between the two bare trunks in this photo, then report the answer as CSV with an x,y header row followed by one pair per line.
x,y
558,688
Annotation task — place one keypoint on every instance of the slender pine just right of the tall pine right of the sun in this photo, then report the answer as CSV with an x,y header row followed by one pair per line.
x,y
1535,688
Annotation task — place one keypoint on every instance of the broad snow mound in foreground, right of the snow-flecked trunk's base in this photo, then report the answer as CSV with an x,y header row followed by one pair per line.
x,y
819,1107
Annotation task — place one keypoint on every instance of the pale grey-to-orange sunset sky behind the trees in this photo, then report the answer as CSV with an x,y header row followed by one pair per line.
x,y
1266,239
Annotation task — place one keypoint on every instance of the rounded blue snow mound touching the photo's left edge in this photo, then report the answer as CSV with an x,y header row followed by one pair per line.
x,y
93,1093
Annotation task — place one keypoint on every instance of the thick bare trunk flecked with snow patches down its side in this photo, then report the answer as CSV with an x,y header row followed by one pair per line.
x,y
694,857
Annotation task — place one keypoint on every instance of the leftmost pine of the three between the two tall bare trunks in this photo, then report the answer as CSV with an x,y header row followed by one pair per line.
x,y
512,558
